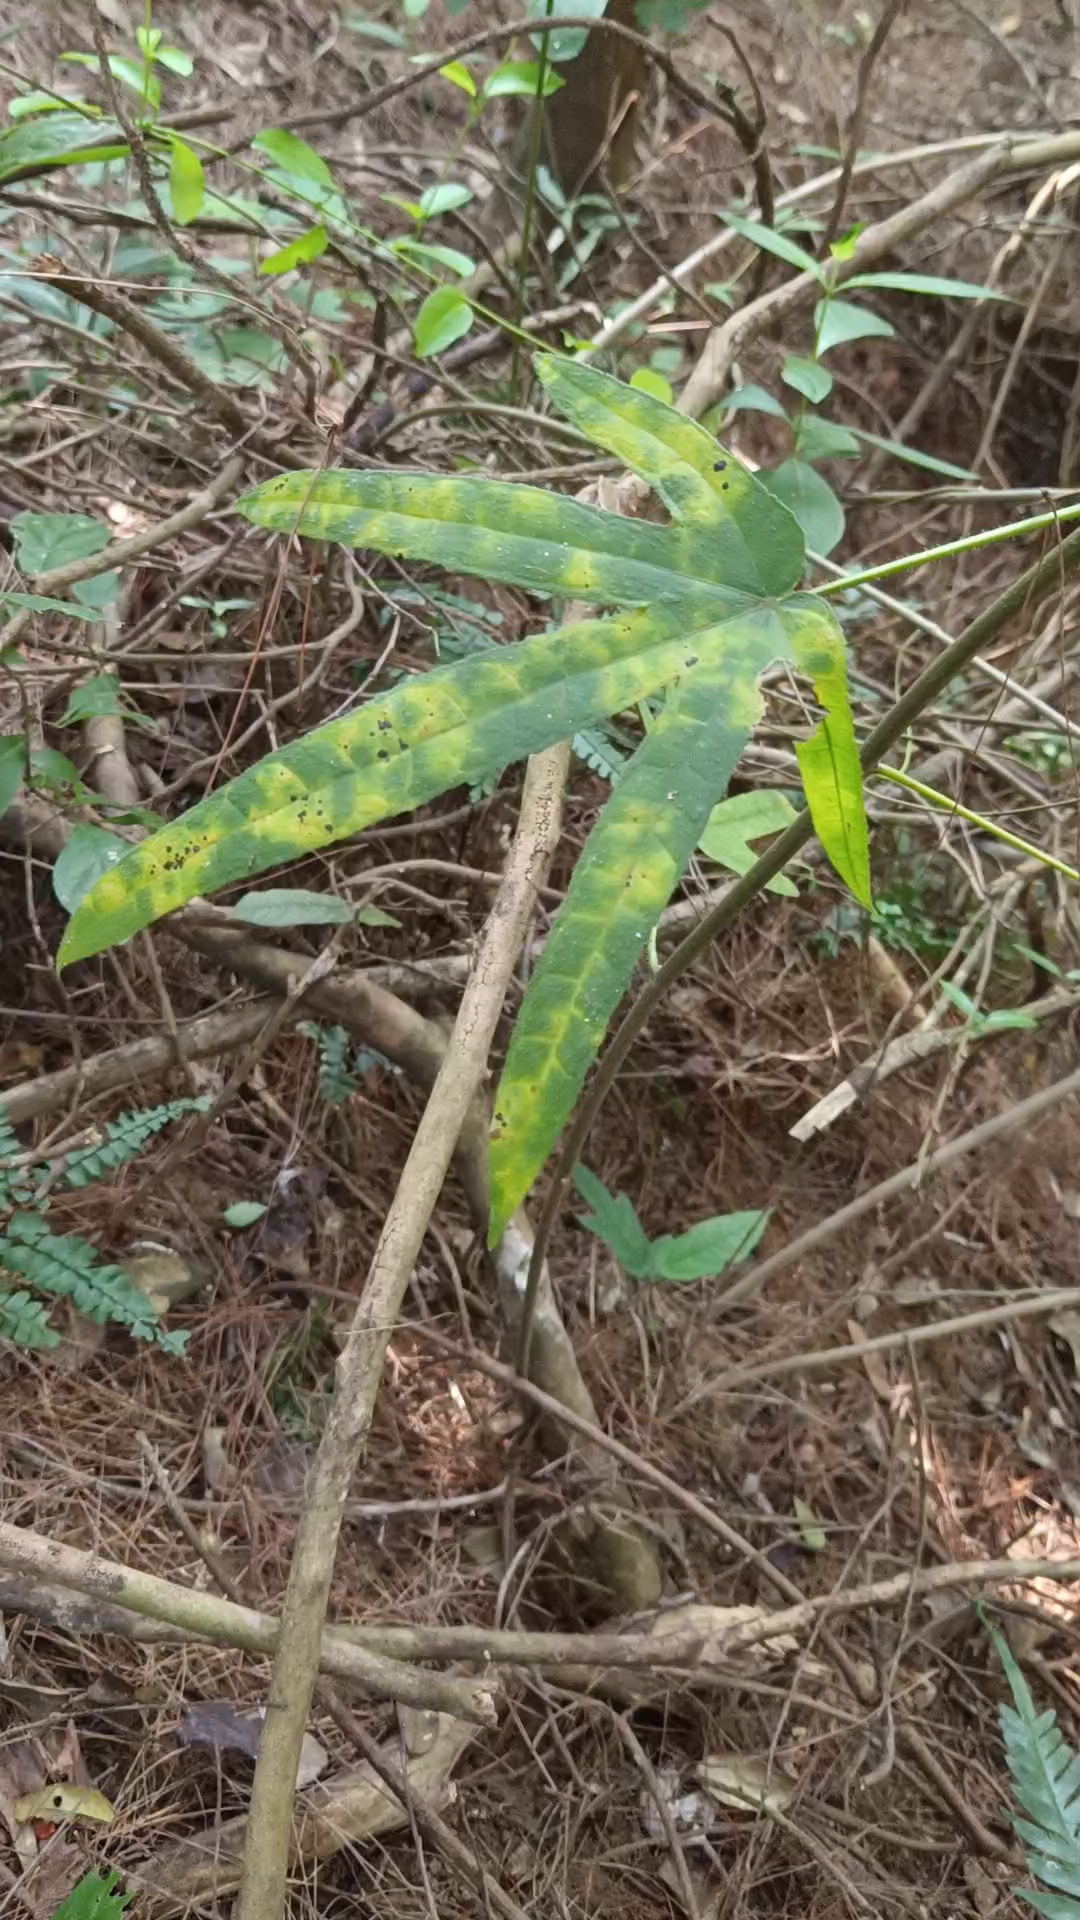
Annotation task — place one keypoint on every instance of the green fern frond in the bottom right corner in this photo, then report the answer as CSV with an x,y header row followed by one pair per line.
x,y
1046,1775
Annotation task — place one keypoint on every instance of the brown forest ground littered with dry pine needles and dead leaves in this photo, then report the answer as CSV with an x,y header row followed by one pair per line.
x,y
929,1452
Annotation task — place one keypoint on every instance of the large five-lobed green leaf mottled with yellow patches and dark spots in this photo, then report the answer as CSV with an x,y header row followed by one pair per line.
x,y
704,606
